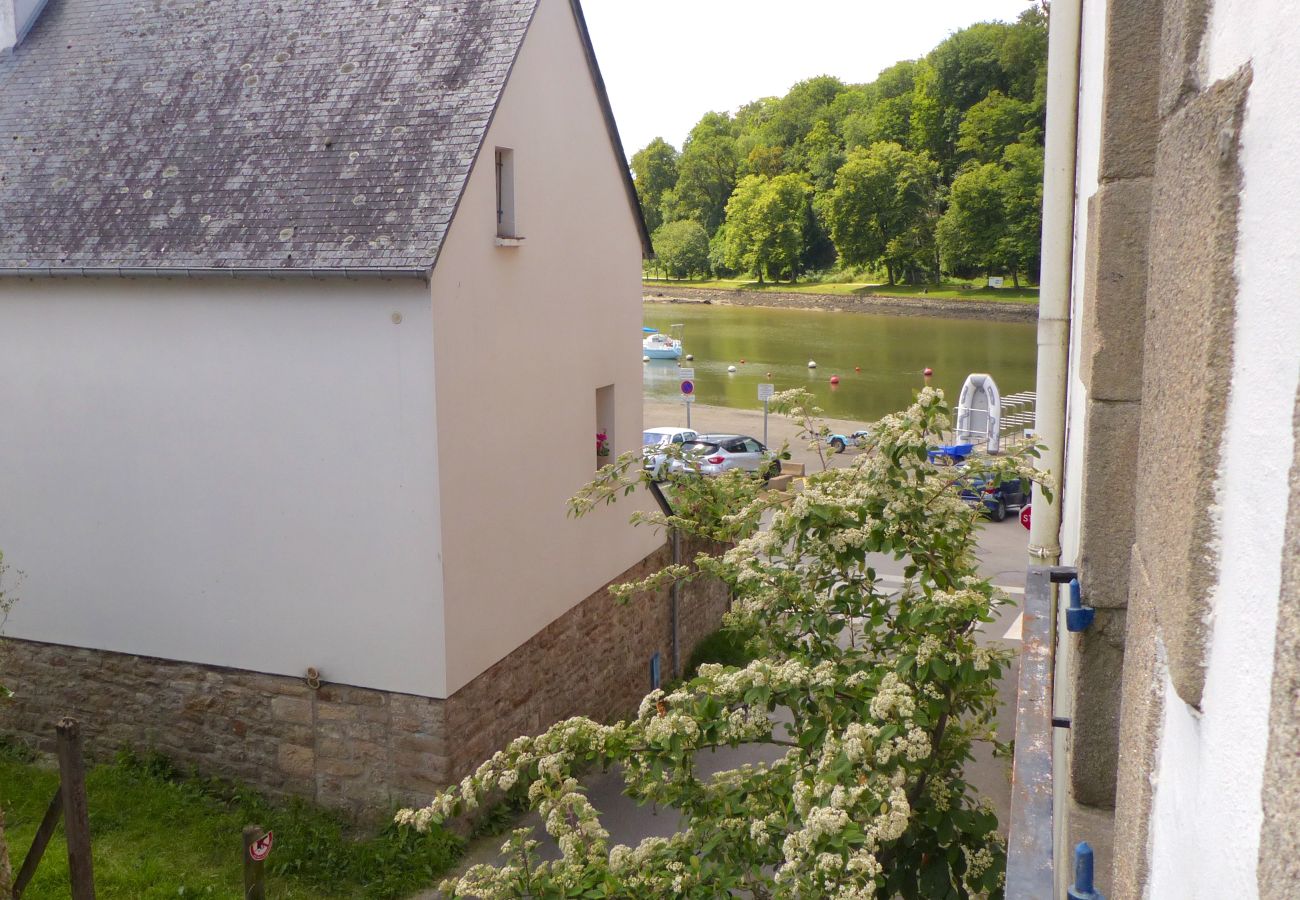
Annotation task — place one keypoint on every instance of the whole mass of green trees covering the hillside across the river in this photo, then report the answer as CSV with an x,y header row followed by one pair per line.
x,y
934,168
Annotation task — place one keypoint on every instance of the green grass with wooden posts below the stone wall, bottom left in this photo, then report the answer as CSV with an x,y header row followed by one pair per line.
x,y
158,834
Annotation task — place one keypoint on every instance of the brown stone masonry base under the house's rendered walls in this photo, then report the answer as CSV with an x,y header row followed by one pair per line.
x,y
354,748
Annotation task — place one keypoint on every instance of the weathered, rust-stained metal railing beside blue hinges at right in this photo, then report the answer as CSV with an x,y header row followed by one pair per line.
x,y
1030,843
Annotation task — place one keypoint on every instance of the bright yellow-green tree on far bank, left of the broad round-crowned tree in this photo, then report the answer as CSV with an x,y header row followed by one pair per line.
x,y
765,226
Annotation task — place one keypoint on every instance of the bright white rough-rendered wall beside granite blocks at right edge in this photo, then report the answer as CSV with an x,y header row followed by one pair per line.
x,y
1206,832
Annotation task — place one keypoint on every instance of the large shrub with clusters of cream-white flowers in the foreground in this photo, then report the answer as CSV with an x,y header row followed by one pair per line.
x,y
872,695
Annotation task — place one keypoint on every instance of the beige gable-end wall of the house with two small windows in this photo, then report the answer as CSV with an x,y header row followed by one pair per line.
x,y
525,337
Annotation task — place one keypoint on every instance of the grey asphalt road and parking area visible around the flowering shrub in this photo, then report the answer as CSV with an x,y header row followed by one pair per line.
x,y
1003,555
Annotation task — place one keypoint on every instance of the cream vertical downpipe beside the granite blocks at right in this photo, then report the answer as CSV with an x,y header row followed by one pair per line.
x,y
1055,287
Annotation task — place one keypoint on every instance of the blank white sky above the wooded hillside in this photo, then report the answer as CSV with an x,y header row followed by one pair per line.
x,y
668,63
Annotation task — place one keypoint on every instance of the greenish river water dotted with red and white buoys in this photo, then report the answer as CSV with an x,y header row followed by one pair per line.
x,y
891,353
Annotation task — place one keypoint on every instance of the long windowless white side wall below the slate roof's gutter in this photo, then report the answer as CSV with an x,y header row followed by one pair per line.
x,y
239,473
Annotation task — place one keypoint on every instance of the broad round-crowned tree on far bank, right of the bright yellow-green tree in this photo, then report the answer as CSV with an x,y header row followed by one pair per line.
x,y
882,196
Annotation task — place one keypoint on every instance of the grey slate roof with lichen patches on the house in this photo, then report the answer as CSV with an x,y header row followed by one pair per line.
x,y
248,135
